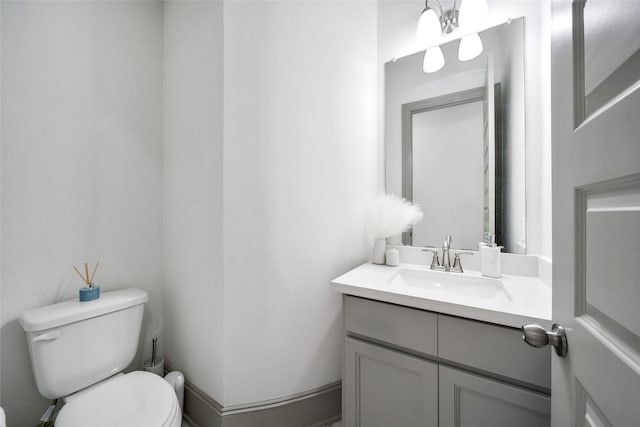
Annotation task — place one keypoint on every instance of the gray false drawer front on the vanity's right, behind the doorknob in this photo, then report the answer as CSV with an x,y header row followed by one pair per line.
x,y
493,348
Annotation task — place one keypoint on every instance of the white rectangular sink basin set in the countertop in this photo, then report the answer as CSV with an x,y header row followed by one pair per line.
x,y
449,283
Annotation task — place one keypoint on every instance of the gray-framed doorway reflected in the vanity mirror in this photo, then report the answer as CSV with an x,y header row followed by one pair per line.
x,y
459,120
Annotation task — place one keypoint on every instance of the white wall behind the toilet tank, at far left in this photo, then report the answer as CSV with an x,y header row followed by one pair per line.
x,y
81,165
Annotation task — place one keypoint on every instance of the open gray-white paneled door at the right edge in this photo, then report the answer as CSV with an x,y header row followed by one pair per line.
x,y
596,211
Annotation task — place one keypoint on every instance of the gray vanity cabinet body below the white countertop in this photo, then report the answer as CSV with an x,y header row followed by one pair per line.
x,y
406,367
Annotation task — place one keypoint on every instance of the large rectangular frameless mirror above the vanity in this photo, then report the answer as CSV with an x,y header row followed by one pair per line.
x,y
455,142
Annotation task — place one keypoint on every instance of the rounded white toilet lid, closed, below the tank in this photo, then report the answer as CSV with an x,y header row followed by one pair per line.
x,y
137,399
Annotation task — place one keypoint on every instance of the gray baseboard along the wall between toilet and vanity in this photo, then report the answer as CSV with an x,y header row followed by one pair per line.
x,y
316,407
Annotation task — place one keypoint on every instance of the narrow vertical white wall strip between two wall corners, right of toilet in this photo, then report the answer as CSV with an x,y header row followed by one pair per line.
x,y
194,281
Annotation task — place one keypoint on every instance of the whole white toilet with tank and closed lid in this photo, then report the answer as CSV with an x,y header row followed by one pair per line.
x,y
78,351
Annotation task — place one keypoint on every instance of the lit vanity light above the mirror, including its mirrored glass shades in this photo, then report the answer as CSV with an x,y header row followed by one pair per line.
x,y
435,21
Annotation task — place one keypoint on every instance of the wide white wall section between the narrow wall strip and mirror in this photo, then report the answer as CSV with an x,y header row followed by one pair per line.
x,y
300,165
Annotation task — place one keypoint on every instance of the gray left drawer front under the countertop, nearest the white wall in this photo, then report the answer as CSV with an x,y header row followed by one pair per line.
x,y
413,329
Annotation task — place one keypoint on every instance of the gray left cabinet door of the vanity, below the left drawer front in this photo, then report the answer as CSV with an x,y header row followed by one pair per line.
x,y
386,388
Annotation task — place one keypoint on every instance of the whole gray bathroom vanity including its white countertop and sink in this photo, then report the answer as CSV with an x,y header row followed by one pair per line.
x,y
432,350
